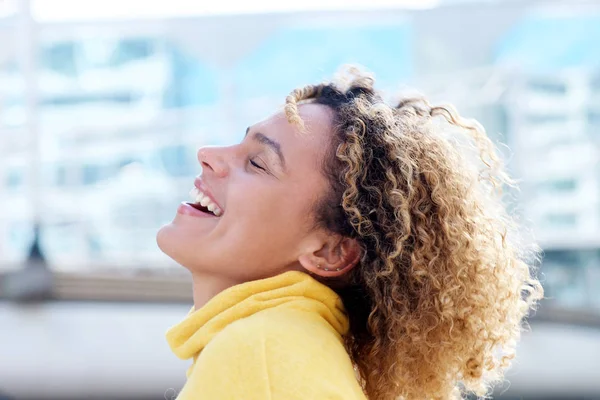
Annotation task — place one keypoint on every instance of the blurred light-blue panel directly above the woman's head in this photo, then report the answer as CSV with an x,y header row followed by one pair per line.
x,y
298,56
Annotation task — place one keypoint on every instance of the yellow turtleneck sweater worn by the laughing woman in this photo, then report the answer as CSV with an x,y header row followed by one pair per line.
x,y
278,338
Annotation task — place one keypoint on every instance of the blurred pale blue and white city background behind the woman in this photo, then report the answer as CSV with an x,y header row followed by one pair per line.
x,y
104,104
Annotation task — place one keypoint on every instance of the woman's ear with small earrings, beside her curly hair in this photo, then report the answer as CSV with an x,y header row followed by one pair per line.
x,y
335,256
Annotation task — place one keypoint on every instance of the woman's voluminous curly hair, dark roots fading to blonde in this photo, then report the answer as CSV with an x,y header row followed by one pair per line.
x,y
438,300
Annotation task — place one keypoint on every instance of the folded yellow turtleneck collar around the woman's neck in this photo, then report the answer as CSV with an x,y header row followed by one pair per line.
x,y
291,289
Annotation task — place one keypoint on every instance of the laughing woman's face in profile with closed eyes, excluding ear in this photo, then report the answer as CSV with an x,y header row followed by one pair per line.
x,y
266,187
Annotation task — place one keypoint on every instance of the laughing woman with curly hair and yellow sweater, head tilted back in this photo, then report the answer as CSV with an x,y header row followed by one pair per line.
x,y
349,249
